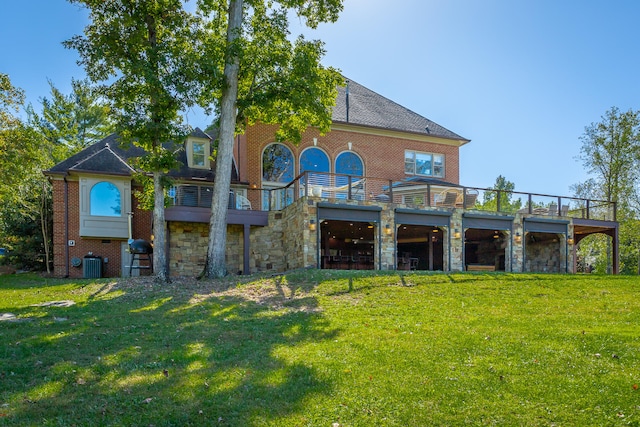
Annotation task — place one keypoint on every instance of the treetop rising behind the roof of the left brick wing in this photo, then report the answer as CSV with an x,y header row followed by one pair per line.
x,y
72,122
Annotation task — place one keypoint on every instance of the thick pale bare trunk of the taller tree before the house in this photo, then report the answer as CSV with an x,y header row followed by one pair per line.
x,y
216,249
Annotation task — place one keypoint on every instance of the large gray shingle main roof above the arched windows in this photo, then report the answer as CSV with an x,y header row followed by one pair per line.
x,y
368,108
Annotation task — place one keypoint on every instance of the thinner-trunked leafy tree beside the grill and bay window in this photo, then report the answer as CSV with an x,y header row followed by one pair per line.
x,y
141,52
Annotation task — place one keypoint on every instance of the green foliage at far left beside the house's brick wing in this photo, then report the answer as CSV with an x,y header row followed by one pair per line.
x,y
65,124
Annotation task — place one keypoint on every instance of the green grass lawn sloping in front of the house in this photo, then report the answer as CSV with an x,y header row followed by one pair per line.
x,y
322,348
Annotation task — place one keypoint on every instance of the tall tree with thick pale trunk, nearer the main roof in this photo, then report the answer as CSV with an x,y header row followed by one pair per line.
x,y
258,74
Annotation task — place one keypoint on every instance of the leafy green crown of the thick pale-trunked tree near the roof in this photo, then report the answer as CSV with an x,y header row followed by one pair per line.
x,y
280,81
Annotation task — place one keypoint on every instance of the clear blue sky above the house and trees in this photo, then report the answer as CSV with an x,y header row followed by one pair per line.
x,y
520,79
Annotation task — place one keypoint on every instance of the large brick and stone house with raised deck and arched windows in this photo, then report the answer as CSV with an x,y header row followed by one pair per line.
x,y
380,191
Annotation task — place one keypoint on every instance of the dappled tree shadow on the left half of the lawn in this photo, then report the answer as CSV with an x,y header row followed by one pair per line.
x,y
165,356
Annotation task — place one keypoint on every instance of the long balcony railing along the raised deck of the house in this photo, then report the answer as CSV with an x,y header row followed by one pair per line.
x,y
410,193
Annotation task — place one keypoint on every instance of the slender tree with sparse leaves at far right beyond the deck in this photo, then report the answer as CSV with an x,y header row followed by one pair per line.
x,y
611,153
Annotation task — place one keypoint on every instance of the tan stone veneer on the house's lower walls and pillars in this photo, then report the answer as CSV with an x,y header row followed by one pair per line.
x,y
289,243
